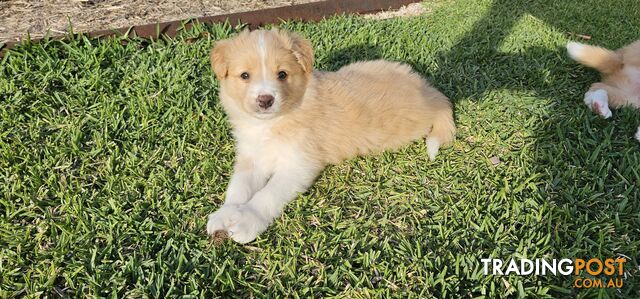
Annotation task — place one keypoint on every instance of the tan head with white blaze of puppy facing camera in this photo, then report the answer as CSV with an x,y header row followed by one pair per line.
x,y
264,73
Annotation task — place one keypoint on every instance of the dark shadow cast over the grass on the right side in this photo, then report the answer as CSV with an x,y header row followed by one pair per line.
x,y
589,165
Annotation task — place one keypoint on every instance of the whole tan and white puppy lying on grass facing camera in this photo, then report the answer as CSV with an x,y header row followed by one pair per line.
x,y
290,121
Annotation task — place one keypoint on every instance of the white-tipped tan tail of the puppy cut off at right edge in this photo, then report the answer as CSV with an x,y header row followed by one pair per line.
x,y
601,59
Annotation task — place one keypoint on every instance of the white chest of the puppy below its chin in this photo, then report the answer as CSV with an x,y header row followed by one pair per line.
x,y
266,149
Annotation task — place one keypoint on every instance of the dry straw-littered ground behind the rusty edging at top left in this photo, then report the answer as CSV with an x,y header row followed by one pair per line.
x,y
19,17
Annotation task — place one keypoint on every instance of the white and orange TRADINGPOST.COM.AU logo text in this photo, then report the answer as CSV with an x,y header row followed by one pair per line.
x,y
606,273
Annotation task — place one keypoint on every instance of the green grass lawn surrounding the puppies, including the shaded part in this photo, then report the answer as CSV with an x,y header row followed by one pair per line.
x,y
112,156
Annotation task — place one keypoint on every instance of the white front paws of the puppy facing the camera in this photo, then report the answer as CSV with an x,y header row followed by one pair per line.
x,y
241,222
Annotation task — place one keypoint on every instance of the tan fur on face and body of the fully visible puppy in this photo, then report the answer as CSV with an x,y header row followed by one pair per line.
x,y
363,107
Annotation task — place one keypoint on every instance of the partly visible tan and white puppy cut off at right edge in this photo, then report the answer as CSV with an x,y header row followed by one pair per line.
x,y
620,85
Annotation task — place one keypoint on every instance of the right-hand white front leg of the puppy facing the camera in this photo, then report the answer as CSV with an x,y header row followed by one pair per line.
x,y
245,222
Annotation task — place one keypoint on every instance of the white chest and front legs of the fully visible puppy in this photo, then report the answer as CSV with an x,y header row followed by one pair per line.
x,y
257,196
